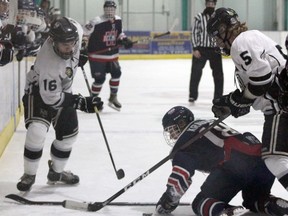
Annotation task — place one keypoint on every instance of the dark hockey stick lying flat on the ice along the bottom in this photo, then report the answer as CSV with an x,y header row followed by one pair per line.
x,y
25,201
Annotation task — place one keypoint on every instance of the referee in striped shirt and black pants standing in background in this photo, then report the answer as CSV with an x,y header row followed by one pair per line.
x,y
204,49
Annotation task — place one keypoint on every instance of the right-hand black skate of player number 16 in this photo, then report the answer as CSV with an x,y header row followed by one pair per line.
x,y
64,177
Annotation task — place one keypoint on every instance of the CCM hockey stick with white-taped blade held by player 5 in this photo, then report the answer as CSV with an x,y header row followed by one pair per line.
x,y
84,206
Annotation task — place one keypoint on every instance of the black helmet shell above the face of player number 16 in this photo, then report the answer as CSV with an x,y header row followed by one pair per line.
x,y
62,30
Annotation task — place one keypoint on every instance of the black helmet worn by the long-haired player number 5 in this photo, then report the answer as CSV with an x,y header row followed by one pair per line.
x,y
226,16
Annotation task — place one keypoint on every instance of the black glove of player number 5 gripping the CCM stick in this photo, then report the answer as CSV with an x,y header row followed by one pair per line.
x,y
233,103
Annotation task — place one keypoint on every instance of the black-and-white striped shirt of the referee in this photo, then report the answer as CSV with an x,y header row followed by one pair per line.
x,y
199,36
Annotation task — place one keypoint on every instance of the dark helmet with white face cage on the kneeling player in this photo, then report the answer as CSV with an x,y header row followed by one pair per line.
x,y
174,122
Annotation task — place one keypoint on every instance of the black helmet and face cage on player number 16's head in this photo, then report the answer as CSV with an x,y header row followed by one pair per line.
x,y
64,31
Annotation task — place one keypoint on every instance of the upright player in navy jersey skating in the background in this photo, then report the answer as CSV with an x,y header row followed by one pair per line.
x,y
105,36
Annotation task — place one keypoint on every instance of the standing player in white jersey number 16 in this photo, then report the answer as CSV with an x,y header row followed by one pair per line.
x,y
49,99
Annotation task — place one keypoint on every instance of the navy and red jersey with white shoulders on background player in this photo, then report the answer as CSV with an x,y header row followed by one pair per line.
x,y
103,34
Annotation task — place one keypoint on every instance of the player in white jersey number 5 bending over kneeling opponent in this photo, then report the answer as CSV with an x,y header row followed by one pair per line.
x,y
259,62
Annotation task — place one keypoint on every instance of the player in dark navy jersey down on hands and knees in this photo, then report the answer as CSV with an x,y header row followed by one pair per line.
x,y
233,160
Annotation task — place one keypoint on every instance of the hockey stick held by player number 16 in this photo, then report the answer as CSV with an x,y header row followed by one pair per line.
x,y
119,173
